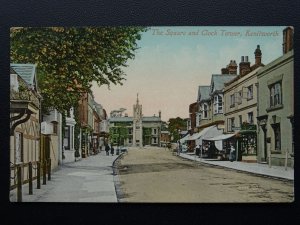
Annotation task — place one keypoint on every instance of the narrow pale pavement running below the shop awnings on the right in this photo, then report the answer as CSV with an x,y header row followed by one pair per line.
x,y
262,169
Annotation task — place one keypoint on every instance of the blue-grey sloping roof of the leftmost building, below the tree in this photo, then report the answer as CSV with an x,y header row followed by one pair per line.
x,y
27,72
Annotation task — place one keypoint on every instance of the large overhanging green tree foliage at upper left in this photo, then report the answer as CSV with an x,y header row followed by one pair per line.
x,y
70,59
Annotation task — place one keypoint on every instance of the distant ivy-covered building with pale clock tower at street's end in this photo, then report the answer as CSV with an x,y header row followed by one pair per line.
x,y
135,131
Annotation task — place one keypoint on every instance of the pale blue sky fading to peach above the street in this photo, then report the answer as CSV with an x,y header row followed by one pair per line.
x,y
169,67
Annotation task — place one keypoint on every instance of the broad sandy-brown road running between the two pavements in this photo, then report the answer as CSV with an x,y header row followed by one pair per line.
x,y
155,175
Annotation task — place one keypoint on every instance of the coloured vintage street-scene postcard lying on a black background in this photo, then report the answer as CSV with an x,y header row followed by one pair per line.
x,y
168,114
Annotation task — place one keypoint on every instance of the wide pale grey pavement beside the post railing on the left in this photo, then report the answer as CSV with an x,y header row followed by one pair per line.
x,y
90,179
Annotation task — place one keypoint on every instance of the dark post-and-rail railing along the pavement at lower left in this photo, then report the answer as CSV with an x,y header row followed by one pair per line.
x,y
18,171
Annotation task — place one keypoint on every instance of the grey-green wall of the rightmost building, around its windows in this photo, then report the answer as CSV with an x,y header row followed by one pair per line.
x,y
282,67
